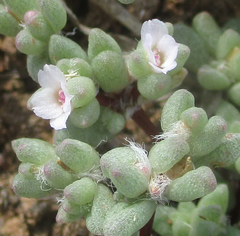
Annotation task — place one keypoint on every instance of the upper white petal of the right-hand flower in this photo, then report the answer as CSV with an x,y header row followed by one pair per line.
x,y
156,28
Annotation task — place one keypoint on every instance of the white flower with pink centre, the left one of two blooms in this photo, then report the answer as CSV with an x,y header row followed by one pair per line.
x,y
52,101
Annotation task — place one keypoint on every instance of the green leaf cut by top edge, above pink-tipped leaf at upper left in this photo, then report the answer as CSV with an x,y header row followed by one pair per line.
x,y
19,8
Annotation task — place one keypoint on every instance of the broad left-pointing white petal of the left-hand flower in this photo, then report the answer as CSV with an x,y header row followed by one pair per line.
x,y
45,104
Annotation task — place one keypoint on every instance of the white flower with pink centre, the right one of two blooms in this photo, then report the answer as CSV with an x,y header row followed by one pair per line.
x,y
161,48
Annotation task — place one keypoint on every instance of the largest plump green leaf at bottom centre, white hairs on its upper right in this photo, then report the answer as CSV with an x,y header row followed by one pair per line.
x,y
128,170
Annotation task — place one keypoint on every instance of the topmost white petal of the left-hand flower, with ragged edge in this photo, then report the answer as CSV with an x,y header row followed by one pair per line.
x,y
51,76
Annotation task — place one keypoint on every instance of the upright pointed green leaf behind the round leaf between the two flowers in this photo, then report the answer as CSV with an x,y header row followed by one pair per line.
x,y
99,41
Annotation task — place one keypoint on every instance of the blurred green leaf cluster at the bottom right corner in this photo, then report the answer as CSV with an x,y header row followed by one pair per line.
x,y
207,217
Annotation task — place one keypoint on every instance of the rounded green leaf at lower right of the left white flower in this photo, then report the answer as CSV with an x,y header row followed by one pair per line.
x,y
87,115
